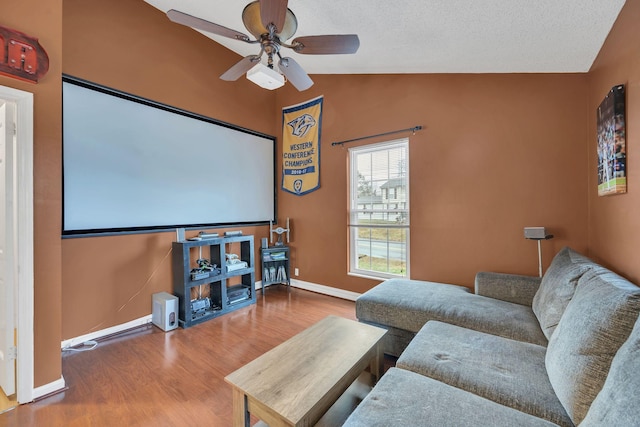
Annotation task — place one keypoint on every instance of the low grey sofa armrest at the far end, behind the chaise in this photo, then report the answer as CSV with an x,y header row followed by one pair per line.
x,y
507,287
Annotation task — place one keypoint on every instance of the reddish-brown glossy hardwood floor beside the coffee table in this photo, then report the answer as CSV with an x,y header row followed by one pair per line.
x,y
148,377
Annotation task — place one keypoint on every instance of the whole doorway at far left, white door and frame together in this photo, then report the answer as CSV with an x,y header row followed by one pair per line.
x,y
16,244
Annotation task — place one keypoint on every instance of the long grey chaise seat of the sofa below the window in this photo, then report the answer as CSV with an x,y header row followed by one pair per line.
x,y
409,304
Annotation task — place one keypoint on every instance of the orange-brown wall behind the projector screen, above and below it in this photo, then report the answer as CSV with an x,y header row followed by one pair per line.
x,y
133,47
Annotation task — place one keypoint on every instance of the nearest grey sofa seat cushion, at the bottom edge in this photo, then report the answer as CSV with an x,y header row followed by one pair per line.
x,y
403,398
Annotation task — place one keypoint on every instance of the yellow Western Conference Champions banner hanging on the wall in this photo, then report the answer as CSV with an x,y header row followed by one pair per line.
x,y
301,147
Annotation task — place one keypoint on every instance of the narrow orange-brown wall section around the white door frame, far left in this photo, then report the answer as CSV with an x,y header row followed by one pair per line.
x,y
43,20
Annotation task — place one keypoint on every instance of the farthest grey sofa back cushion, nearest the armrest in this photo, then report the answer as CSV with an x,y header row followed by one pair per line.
x,y
557,287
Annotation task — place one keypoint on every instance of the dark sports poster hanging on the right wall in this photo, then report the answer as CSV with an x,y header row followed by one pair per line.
x,y
612,150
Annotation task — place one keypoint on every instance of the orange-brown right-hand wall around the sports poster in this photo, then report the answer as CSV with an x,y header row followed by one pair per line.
x,y
614,223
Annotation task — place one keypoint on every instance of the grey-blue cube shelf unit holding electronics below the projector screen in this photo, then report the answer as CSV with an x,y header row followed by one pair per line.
x,y
217,294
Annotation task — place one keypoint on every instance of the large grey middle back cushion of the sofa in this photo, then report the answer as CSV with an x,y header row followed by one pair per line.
x,y
597,321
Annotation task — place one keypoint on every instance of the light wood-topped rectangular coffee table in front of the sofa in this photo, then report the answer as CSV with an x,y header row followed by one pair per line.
x,y
296,382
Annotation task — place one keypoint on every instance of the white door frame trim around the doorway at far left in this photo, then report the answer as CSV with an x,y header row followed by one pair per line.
x,y
24,256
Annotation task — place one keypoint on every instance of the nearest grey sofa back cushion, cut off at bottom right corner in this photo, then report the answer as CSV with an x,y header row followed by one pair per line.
x,y
617,402
